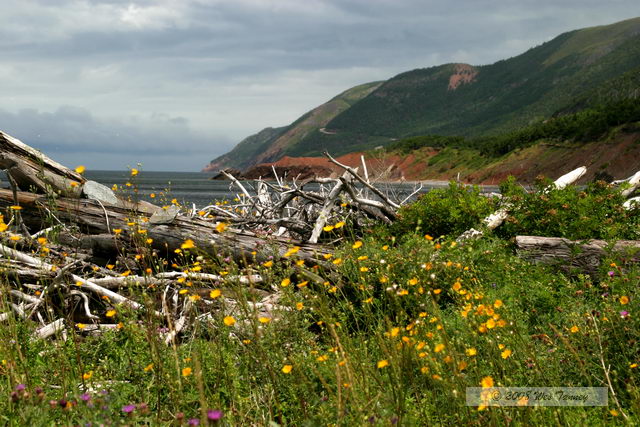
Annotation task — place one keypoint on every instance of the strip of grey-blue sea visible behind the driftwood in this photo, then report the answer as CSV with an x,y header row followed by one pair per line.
x,y
196,187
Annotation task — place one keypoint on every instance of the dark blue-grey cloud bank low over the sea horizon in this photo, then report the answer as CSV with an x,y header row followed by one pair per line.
x,y
71,130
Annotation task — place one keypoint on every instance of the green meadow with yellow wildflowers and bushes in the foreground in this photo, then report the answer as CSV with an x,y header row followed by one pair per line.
x,y
389,329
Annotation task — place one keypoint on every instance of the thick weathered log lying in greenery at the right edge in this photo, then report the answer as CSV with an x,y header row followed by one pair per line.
x,y
585,256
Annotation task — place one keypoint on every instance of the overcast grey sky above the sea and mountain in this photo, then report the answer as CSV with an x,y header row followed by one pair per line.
x,y
172,84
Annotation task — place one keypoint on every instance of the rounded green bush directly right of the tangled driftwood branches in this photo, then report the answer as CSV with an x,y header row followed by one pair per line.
x,y
448,211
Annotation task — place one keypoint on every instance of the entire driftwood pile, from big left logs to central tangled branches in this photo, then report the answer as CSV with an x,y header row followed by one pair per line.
x,y
62,235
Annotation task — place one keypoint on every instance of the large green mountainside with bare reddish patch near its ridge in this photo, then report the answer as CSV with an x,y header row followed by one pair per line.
x,y
576,70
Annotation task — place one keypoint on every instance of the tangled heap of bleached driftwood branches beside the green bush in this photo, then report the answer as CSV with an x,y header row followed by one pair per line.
x,y
290,209
